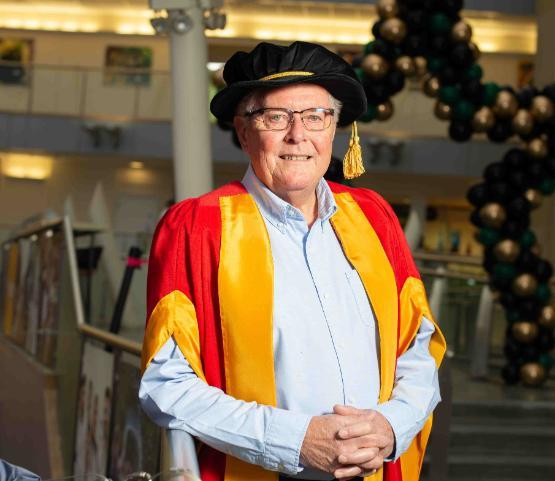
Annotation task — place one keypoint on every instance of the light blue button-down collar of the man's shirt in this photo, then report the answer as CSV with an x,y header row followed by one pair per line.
x,y
277,211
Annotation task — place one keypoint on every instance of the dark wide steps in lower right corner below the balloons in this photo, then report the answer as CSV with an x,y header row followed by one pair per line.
x,y
502,441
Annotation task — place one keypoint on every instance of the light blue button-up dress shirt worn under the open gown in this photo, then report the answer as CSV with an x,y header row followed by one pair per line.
x,y
325,353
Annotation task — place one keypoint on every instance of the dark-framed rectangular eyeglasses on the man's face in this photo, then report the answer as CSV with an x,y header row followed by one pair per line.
x,y
280,119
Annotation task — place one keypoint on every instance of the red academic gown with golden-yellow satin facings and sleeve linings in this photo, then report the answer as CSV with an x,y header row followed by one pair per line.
x,y
210,286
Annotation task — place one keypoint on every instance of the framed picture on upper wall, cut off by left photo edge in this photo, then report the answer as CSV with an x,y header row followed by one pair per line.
x,y
15,56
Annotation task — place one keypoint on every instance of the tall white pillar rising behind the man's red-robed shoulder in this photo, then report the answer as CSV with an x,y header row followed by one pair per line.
x,y
192,154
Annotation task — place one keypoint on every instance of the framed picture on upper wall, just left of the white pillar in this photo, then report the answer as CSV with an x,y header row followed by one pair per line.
x,y
127,66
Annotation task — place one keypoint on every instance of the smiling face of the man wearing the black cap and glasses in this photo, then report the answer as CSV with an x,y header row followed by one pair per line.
x,y
294,159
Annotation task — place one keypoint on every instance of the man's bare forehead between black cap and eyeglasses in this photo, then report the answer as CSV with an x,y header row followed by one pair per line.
x,y
296,97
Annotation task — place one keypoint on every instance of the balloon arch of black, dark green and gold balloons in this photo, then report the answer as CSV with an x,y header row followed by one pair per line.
x,y
429,39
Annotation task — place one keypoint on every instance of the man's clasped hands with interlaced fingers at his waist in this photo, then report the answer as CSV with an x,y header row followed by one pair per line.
x,y
348,443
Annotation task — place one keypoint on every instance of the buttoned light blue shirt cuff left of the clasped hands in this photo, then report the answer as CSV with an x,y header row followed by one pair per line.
x,y
284,438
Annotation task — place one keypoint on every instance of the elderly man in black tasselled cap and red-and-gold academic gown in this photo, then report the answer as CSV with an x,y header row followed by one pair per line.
x,y
288,328
